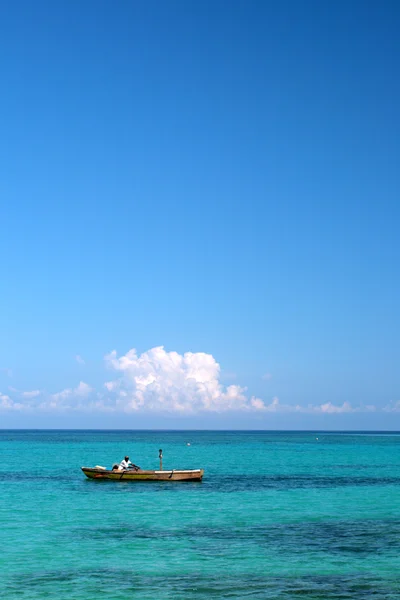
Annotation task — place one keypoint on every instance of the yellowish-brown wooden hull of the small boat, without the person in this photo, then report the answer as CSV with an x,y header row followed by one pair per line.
x,y
141,475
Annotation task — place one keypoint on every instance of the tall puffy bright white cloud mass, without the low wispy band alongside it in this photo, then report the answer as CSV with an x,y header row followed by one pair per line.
x,y
163,381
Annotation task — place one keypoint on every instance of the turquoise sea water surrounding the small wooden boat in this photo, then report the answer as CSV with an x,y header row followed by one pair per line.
x,y
278,516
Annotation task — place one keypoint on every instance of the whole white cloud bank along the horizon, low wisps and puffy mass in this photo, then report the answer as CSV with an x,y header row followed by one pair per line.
x,y
158,381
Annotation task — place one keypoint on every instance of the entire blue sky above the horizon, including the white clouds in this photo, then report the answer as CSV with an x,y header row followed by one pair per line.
x,y
214,184
